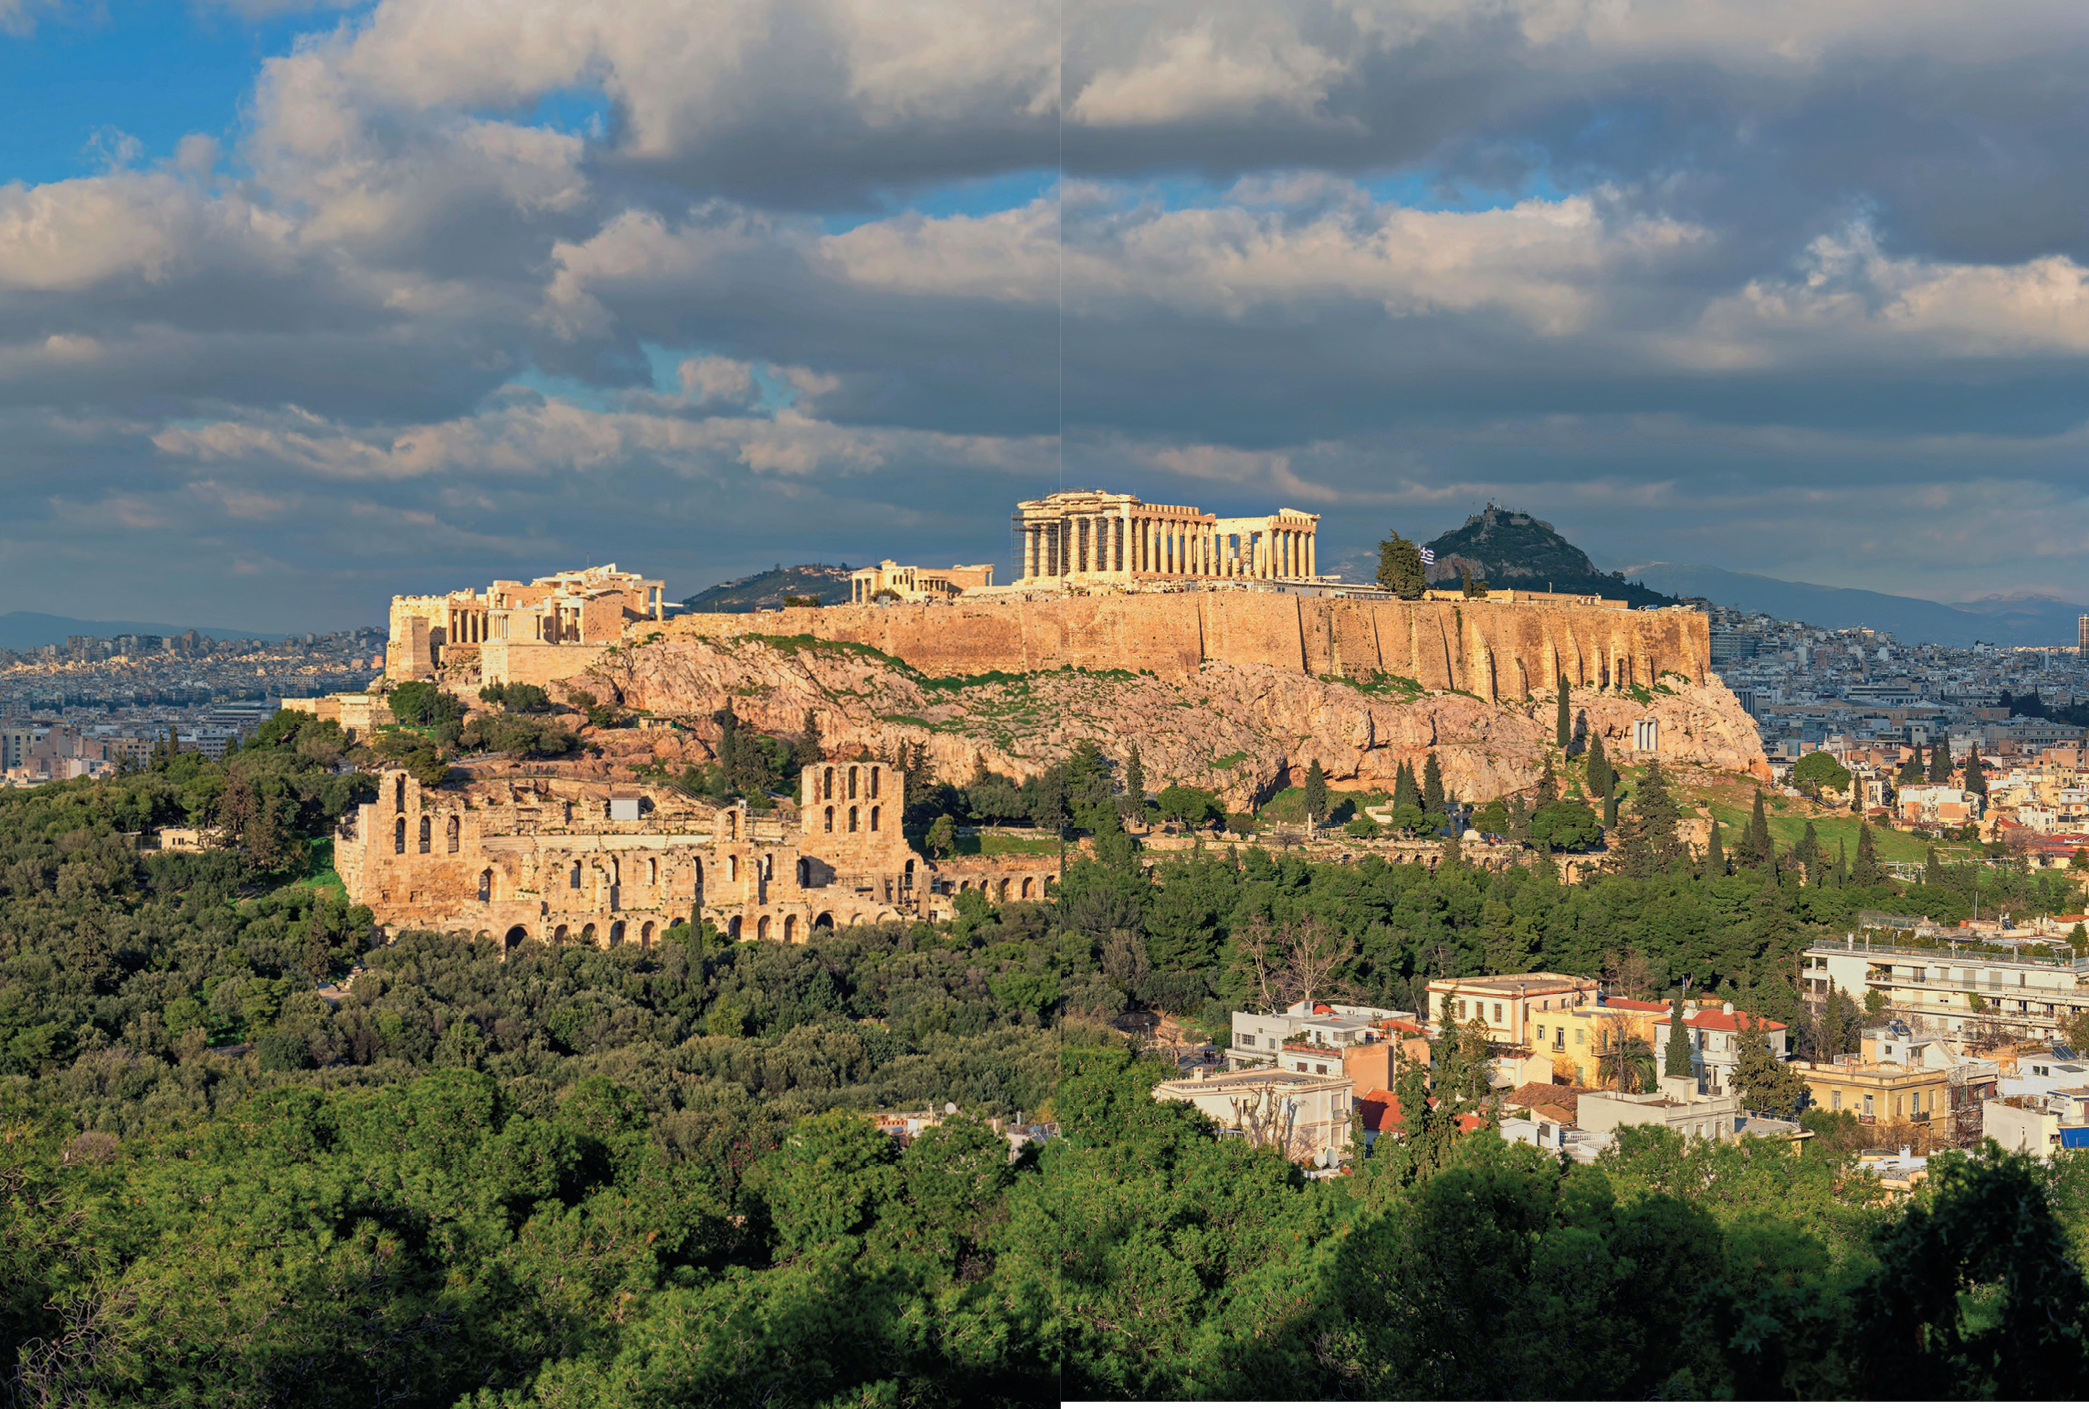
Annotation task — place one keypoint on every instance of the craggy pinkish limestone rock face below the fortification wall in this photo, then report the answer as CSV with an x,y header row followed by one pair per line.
x,y
1240,731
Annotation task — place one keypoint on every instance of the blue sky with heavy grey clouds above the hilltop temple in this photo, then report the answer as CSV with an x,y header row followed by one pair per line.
x,y
304,306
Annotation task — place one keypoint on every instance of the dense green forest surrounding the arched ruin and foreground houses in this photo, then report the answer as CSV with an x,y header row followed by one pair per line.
x,y
256,1155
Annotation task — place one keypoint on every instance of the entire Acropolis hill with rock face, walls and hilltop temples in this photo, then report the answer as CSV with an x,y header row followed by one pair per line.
x,y
1206,643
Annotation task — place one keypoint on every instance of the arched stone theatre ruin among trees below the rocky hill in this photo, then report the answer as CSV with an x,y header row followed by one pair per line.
x,y
607,862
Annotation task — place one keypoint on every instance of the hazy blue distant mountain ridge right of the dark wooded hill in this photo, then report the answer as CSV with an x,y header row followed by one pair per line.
x,y
2000,622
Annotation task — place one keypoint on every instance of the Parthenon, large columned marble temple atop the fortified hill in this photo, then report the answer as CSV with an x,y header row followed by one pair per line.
x,y
1089,534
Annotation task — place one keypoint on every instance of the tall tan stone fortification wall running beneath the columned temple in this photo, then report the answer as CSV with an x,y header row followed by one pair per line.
x,y
1499,651
